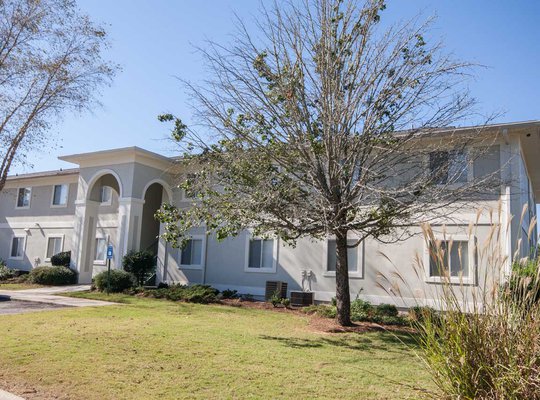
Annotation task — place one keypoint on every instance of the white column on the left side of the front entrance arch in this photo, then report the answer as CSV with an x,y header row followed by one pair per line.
x,y
82,241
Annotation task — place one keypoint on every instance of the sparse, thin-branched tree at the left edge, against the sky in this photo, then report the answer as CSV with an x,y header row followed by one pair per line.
x,y
50,62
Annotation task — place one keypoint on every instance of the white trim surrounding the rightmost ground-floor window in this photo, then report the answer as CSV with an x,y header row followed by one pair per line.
x,y
457,280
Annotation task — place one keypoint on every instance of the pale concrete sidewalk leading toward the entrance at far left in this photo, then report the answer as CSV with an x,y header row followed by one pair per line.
x,y
49,295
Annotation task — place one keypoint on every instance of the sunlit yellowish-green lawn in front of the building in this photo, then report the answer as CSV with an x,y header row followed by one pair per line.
x,y
147,349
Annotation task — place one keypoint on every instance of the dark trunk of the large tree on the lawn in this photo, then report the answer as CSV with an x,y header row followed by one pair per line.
x,y
343,296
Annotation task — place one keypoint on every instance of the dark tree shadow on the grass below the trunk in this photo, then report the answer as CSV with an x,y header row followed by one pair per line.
x,y
390,342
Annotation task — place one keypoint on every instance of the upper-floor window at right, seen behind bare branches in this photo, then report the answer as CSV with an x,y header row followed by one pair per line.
x,y
448,166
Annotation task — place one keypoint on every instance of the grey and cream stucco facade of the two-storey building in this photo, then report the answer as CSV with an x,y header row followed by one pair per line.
x,y
139,181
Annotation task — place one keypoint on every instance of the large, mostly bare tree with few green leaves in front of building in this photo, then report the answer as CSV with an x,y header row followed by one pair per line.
x,y
325,124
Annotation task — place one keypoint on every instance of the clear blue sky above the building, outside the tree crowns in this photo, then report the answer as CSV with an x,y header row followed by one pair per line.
x,y
153,42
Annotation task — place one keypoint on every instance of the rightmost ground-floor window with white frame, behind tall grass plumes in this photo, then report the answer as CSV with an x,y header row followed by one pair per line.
x,y
451,259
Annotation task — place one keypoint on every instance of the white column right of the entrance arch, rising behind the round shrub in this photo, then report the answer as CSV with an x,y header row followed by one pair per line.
x,y
129,226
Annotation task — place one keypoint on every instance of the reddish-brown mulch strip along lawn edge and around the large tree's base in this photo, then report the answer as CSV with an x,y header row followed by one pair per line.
x,y
316,323
